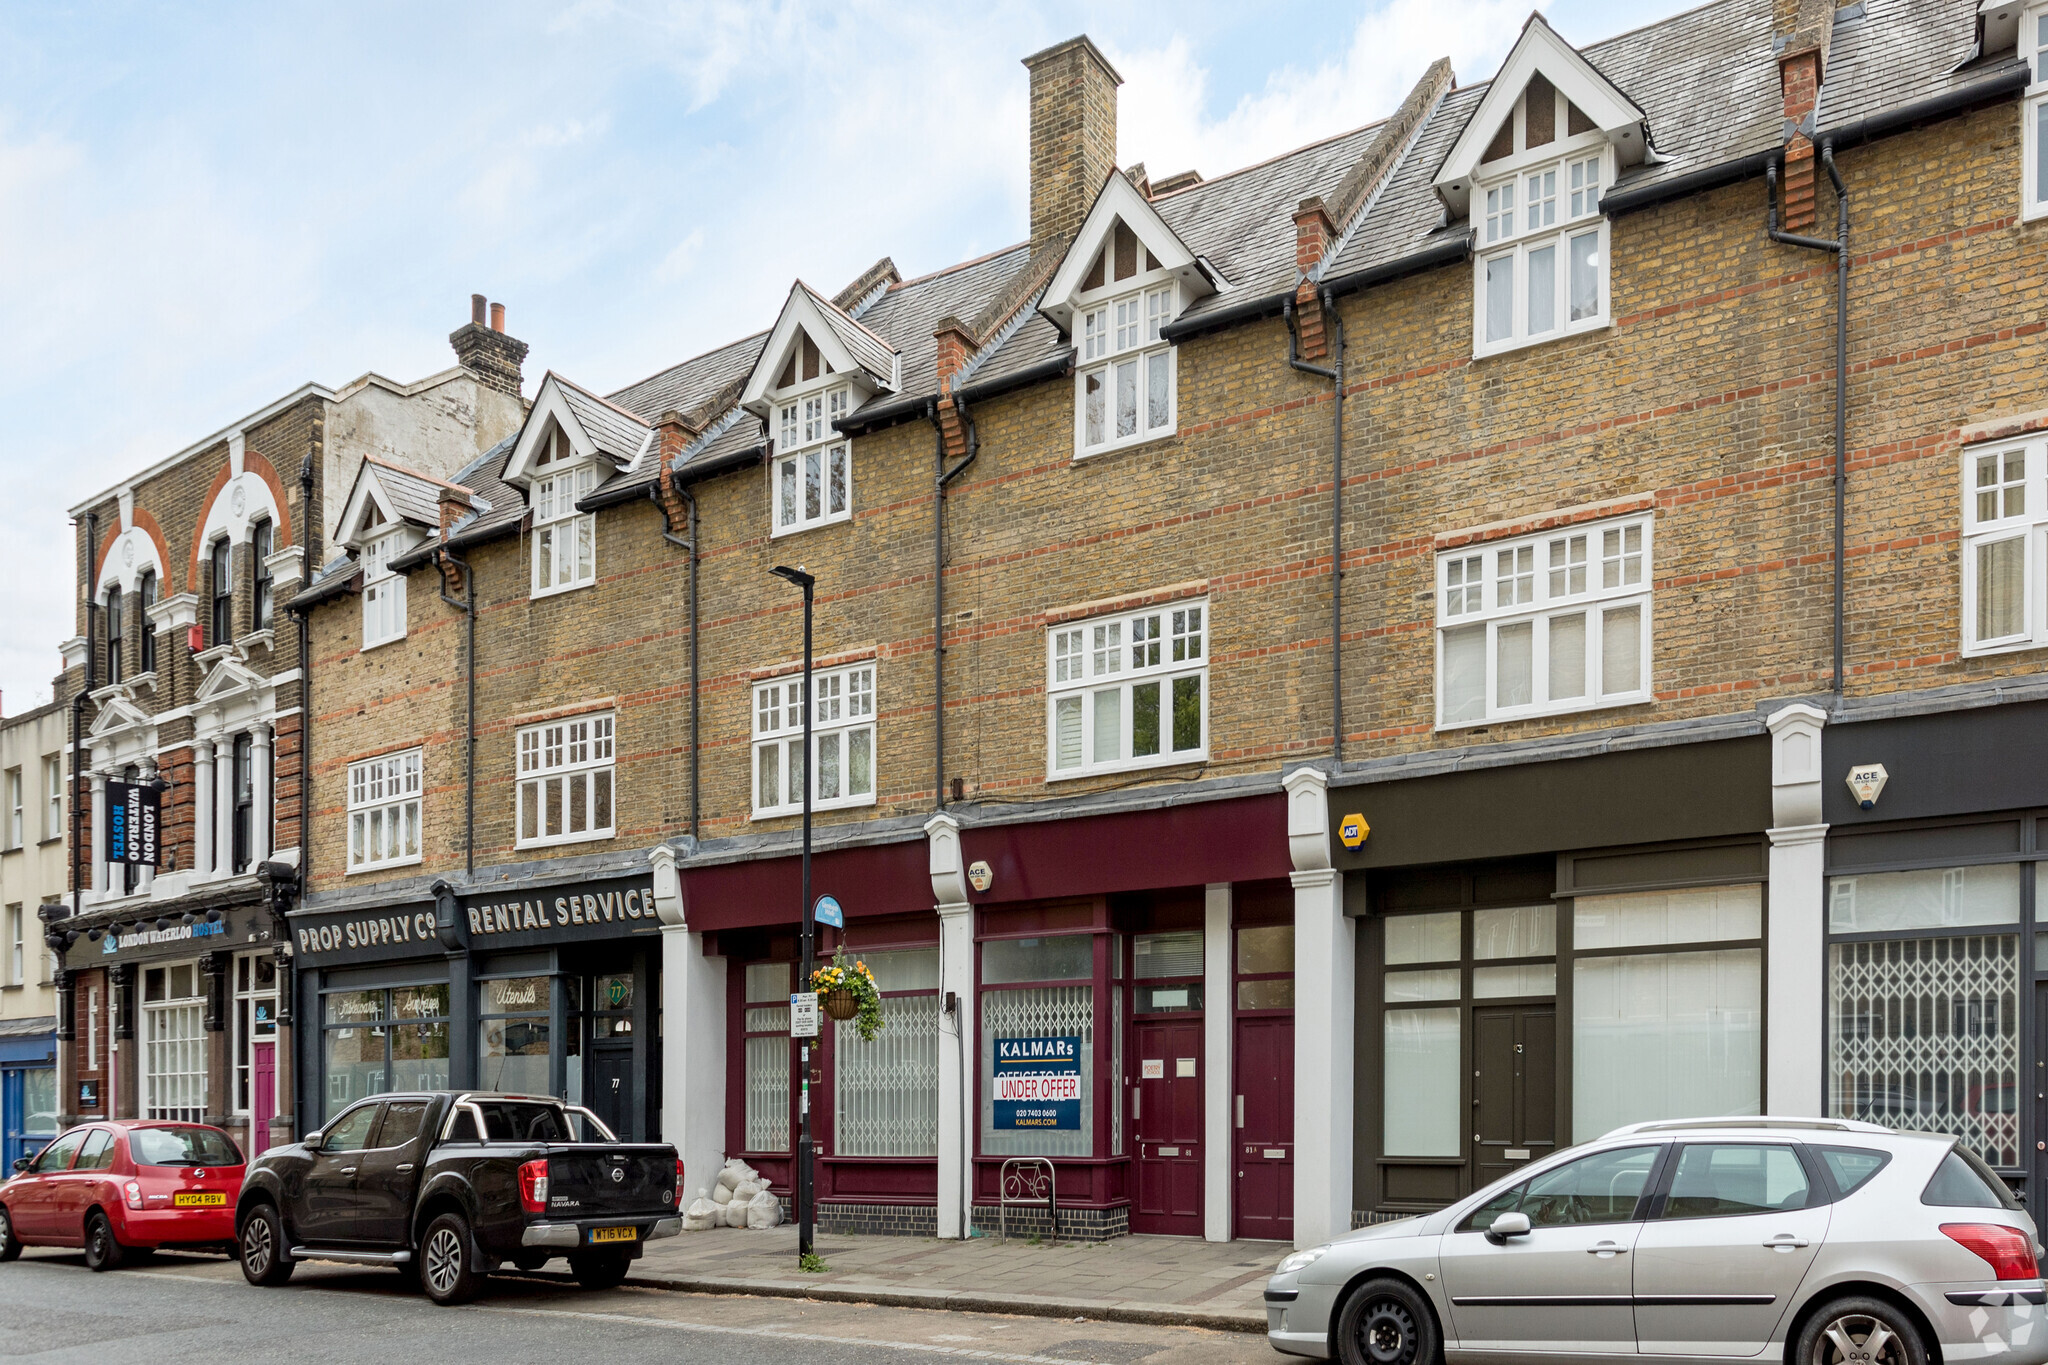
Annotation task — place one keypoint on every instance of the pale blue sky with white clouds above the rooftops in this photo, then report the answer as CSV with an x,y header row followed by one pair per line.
x,y
208,206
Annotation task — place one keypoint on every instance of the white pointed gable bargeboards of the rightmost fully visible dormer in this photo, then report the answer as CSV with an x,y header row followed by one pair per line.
x,y
1543,97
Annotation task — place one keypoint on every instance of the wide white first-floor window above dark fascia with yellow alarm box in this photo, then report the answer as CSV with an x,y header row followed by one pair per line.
x,y
1535,580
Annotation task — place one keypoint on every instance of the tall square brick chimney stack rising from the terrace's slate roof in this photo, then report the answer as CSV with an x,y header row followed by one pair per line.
x,y
1072,136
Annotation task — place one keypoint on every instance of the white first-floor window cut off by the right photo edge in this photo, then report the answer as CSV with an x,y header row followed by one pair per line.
x,y
2004,529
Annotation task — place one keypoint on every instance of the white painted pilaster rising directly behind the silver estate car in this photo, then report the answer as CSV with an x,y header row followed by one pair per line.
x,y
1795,1020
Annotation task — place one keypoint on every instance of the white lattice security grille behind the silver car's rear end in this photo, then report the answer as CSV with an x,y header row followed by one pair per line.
x,y
1924,1034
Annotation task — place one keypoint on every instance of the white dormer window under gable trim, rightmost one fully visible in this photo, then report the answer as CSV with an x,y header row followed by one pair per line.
x,y
1541,263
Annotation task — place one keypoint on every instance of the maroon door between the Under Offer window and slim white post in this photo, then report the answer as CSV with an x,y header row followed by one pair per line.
x,y
1168,1127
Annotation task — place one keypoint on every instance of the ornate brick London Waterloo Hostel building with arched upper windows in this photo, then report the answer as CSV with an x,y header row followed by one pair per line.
x,y
187,680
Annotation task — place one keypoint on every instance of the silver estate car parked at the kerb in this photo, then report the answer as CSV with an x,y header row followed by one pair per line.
x,y
1801,1241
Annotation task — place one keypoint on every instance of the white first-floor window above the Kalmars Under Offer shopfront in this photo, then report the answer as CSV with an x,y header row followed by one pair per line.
x,y
1127,693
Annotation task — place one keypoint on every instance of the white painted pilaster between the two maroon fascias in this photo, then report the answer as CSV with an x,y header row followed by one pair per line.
x,y
955,1028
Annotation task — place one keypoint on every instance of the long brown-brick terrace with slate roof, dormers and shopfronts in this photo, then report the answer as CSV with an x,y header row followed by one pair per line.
x,y
1547,367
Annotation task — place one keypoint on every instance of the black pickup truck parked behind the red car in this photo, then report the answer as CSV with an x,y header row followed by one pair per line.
x,y
450,1186
